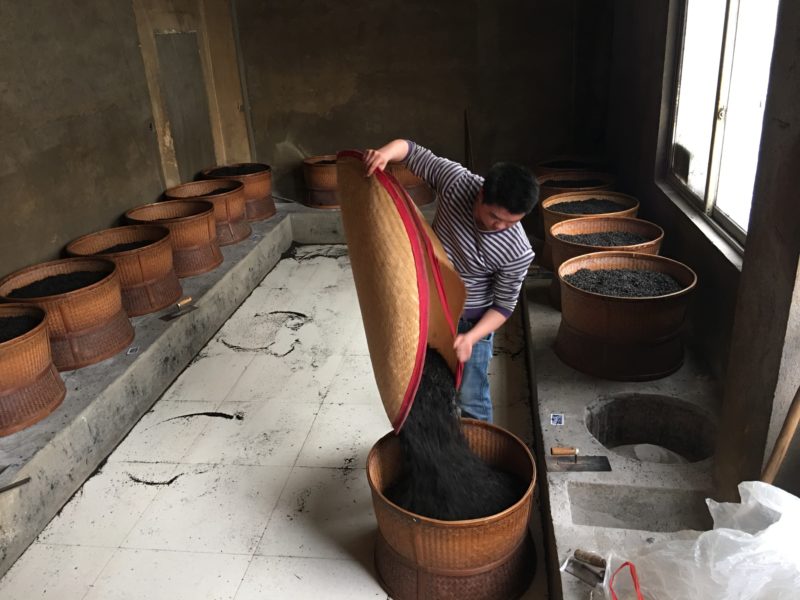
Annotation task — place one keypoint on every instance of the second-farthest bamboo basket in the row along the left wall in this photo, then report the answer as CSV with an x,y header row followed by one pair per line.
x,y
227,196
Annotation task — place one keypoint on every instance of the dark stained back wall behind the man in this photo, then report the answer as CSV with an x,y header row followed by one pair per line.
x,y
327,76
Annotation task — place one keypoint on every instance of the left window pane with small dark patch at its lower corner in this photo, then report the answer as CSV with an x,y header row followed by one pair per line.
x,y
697,92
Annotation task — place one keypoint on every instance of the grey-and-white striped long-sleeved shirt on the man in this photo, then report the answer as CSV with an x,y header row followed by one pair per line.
x,y
493,264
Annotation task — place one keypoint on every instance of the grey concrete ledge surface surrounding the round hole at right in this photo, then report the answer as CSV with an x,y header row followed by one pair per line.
x,y
649,501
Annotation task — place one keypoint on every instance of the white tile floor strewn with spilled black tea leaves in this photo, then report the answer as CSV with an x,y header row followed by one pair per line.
x,y
246,479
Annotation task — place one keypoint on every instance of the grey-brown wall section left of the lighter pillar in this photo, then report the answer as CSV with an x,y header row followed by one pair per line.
x,y
77,145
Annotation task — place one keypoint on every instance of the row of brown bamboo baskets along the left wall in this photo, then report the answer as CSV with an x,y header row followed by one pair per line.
x,y
139,268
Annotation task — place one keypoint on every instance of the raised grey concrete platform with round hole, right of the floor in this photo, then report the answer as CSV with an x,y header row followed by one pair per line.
x,y
637,502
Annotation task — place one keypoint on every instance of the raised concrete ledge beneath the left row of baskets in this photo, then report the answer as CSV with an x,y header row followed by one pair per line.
x,y
104,401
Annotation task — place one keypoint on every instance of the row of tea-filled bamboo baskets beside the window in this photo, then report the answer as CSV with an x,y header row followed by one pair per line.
x,y
629,339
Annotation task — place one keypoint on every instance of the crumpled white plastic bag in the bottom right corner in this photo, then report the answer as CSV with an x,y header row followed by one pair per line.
x,y
752,553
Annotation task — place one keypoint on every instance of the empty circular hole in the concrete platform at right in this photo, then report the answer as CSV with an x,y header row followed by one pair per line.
x,y
652,428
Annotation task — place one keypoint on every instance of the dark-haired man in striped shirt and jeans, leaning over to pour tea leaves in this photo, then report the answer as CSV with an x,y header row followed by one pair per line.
x,y
478,223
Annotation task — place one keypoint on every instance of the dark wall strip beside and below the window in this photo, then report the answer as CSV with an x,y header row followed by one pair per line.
x,y
640,45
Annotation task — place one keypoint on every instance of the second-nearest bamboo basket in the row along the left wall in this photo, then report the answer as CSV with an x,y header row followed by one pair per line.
x,y
86,325
